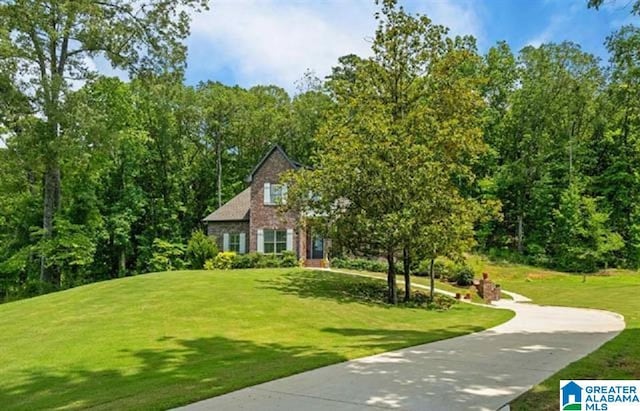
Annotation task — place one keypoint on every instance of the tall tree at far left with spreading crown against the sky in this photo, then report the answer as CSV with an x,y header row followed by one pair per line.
x,y
51,43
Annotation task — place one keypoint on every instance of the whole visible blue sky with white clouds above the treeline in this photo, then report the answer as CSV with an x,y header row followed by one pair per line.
x,y
249,42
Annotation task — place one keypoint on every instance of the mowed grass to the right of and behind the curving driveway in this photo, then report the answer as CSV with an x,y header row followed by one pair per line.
x,y
612,290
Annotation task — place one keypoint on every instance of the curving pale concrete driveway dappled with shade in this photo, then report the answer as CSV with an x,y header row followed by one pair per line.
x,y
481,371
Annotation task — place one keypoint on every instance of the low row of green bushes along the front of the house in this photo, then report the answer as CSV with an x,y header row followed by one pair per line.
x,y
230,260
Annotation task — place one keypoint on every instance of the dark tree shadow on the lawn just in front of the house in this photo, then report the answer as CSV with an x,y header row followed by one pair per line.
x,y
331,286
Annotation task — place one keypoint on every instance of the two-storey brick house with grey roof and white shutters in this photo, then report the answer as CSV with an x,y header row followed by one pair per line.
x,y
250,222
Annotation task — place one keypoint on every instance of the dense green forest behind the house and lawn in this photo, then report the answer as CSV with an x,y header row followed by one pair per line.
x,y
97,181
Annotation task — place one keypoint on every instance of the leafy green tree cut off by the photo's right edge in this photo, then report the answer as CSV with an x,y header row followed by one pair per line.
x,y
615,155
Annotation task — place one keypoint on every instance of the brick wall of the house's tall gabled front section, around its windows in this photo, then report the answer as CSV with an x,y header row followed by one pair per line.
x,y
267,216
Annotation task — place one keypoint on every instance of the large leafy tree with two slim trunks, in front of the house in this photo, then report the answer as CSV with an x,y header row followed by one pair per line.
x,y
403,126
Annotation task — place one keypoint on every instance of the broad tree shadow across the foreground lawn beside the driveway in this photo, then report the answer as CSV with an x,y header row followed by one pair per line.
x,y
182,372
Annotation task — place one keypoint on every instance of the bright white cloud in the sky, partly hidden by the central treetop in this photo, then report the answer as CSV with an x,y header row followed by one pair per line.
x,y
270,41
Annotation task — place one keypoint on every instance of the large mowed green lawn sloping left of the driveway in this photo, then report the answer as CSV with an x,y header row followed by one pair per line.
x,y
161,340
